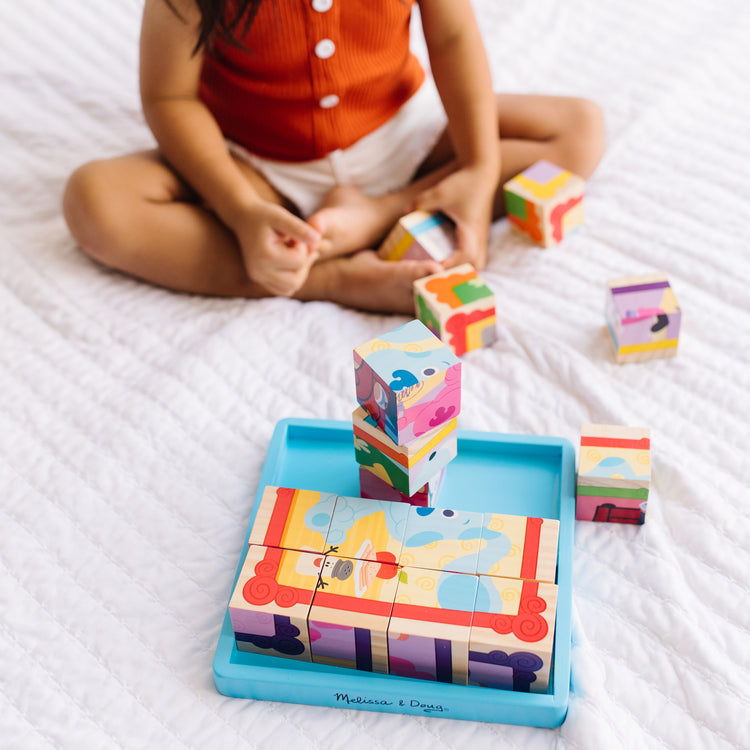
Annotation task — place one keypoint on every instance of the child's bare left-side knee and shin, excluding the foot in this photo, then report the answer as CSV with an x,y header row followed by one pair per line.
x,y
134,214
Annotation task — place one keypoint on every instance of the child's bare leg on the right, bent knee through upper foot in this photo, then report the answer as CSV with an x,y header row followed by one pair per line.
x,y
567,131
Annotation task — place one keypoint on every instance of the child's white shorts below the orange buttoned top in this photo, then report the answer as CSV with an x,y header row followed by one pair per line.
x,y
380,162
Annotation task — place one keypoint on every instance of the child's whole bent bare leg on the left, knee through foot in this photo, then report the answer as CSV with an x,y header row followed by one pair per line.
x,y
134,214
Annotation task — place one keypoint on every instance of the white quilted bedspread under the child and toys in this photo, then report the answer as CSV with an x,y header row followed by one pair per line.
x,y
134,422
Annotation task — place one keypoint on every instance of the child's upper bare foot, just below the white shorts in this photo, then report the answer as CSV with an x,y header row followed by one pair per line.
x,y
349,220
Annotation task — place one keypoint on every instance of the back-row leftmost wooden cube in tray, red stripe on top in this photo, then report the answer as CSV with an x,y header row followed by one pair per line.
x,y
283,516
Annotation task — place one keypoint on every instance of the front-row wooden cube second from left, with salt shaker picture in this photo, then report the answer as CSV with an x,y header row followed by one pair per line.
x,y
348,620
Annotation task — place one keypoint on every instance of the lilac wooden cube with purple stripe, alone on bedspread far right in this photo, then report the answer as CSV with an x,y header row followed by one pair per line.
x,y
643,317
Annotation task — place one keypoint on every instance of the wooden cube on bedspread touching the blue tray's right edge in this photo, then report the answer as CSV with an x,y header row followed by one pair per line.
x,y
614,474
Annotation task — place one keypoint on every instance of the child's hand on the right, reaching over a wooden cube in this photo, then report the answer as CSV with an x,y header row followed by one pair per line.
x,y
466,197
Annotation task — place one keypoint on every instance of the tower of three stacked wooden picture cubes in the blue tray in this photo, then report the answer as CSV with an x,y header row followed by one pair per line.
x,y
408,386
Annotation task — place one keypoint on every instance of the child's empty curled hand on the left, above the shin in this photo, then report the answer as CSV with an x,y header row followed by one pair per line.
x,y
278,248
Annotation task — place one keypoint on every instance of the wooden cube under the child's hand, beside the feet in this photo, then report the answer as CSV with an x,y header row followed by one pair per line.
x,y
420,235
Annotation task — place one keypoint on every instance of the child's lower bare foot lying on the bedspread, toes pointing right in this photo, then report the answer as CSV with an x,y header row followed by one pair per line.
x,y
367,282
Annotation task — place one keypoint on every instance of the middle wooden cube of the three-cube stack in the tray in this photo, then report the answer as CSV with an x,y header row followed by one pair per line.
x,y
408,467
